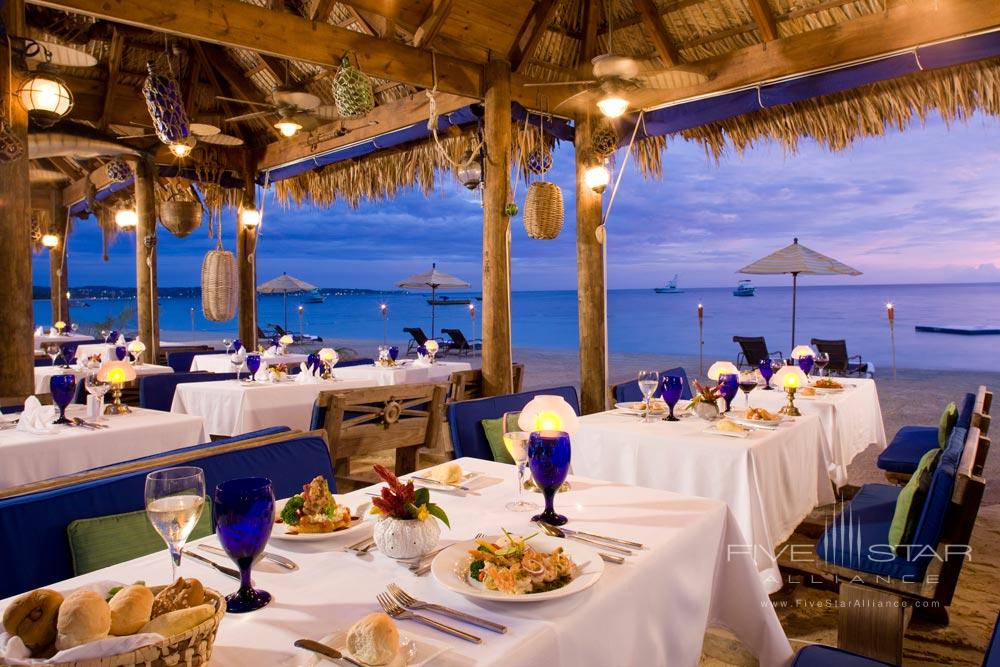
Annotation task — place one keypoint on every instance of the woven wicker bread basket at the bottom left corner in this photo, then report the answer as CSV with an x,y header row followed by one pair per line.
x,y
188,649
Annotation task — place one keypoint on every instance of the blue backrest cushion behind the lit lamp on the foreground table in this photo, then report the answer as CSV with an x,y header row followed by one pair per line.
x,y
465,418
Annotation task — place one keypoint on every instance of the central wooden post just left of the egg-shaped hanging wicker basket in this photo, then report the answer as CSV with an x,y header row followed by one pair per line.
x,y
497,374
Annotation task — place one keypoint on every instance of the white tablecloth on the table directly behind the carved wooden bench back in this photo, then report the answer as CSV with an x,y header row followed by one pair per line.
x,y
232,407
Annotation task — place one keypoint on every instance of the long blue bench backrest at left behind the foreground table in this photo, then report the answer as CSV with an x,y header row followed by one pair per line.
x,y
37,522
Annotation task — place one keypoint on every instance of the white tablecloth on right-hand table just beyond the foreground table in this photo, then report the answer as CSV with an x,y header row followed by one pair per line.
x,y
771,480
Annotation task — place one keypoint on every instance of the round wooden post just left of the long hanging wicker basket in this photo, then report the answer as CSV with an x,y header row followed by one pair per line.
x,y
145,258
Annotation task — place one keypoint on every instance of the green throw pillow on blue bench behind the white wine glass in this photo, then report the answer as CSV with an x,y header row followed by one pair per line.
x,y
116,538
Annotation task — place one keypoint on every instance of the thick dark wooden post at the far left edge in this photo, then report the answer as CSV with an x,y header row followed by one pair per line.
x,y
16,317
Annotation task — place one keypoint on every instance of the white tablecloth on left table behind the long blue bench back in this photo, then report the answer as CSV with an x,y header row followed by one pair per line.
x,y
30,458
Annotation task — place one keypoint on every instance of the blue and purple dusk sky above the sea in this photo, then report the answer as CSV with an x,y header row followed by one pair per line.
x,y
919,206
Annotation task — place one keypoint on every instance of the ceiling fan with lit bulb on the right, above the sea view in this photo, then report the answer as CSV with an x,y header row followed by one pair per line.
x,y
615,76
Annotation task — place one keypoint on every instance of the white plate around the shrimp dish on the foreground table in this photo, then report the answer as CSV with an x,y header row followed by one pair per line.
x,y
450,569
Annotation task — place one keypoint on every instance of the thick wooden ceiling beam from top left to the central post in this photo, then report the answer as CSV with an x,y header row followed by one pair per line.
x,y
236,24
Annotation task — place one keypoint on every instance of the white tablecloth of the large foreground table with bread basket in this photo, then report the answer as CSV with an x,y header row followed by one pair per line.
x,y
652,611
